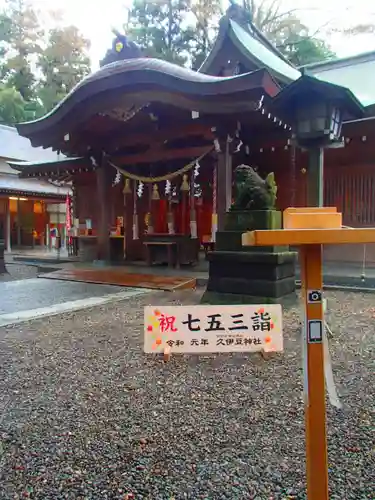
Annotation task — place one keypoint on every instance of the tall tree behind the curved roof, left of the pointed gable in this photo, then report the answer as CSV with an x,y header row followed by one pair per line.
x,y
157,28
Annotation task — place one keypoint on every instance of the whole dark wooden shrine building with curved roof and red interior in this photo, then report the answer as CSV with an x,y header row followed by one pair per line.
x,y
150,147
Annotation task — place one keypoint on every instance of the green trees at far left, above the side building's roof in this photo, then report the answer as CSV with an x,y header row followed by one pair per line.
x,y
37,69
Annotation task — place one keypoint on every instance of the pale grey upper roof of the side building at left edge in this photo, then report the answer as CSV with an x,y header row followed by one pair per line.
x,y
15,147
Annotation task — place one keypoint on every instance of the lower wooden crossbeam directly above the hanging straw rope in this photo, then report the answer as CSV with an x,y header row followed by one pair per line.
x,y
153,156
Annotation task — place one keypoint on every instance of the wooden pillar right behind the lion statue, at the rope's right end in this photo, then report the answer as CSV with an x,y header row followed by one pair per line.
x,y
224,185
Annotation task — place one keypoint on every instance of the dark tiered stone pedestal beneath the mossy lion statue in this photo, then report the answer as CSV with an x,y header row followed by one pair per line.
x,y
257,275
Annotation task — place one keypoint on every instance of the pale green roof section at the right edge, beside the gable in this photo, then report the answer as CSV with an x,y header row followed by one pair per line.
x,y
357,73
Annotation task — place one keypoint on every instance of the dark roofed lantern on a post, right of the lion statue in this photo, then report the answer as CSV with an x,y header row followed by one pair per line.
x,y
316,111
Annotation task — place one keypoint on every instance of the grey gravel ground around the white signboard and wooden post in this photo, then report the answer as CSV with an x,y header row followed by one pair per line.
x,y
84,414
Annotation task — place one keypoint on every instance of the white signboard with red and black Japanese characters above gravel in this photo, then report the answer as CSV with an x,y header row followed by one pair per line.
x,y
210,329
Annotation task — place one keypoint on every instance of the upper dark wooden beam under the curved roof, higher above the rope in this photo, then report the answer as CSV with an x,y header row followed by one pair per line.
x,y
159,137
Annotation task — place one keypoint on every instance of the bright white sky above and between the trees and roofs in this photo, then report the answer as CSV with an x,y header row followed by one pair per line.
x,y
96,17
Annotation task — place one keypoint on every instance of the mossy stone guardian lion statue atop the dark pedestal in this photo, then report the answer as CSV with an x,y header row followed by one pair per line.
x,y
252,192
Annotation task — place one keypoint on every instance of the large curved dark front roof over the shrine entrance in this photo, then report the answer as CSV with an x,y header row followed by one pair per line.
x,y
137,82
